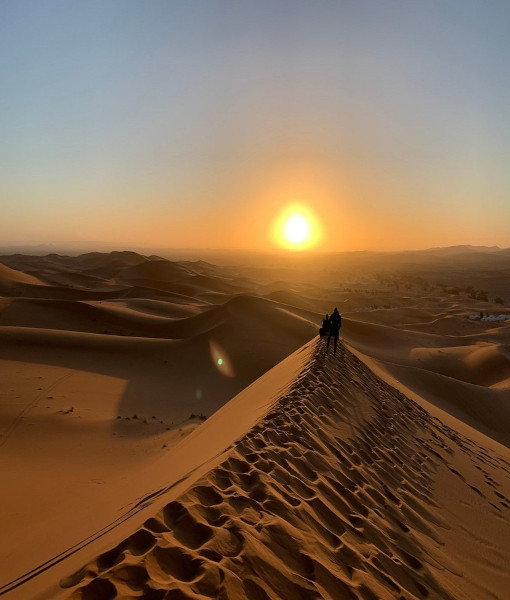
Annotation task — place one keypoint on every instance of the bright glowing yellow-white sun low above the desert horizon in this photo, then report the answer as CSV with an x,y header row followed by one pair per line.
x,y
296,228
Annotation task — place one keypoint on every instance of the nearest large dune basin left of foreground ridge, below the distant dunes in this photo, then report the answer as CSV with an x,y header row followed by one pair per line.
x,y
71,390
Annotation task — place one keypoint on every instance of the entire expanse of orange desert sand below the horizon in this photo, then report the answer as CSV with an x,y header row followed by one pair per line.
x,y
175,429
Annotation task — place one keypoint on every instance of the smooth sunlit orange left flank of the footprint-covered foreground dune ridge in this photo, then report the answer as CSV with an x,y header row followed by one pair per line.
x,y
166,474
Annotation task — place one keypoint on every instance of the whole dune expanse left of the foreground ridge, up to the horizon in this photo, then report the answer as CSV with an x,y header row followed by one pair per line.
x,y
101,377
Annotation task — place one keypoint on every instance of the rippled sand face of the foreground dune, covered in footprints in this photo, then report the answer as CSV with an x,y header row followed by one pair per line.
x,y
345,489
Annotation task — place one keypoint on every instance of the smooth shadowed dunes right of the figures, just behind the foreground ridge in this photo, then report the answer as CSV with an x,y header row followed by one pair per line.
x,y
466,375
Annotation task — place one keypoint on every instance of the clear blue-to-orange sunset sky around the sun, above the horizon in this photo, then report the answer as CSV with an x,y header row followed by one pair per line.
x,y
197,124
